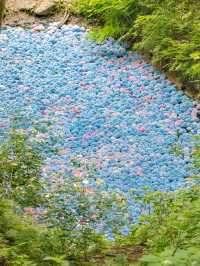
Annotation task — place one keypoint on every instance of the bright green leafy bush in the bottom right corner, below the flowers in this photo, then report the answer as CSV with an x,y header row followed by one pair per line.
x,y
171,232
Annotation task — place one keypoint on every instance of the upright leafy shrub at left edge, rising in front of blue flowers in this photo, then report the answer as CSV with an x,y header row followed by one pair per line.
x,y
20,169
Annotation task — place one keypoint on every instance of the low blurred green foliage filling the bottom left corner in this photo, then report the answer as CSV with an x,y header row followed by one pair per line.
x,y
23,241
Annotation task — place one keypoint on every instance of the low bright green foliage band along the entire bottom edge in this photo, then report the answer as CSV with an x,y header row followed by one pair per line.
x,y
170,236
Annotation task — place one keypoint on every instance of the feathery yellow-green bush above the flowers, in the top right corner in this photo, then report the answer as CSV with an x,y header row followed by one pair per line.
x,y
166,30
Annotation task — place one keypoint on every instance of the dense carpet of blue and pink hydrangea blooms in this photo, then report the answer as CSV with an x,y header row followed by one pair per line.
x,y
99,111
